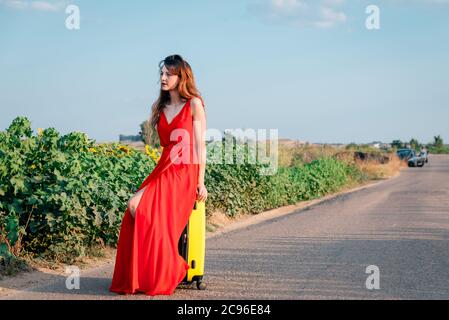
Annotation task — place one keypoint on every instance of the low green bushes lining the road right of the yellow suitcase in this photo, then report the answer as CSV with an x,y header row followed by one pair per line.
x,y
237,189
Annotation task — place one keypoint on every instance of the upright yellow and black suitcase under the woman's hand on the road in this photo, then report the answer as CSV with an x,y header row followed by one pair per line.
x,y
192,245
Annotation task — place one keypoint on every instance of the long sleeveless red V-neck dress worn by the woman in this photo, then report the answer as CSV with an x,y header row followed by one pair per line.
x,y
147,255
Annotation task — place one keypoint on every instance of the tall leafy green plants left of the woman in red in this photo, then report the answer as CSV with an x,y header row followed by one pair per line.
x,y
61,195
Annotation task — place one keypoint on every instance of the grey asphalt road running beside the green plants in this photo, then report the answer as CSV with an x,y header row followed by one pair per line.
x,y
401,226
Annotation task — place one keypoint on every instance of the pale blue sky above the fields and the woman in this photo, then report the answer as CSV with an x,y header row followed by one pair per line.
x,y
310,69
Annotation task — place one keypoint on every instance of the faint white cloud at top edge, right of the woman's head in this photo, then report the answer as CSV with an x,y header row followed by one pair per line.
x,y
315,13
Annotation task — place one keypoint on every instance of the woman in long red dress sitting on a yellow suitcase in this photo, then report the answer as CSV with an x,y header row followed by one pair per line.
x,y
147,254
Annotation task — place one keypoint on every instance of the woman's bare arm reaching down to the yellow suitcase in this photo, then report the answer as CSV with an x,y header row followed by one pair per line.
x,y
199,127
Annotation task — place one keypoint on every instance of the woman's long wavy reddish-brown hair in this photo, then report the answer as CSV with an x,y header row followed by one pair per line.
x,y
186,86
